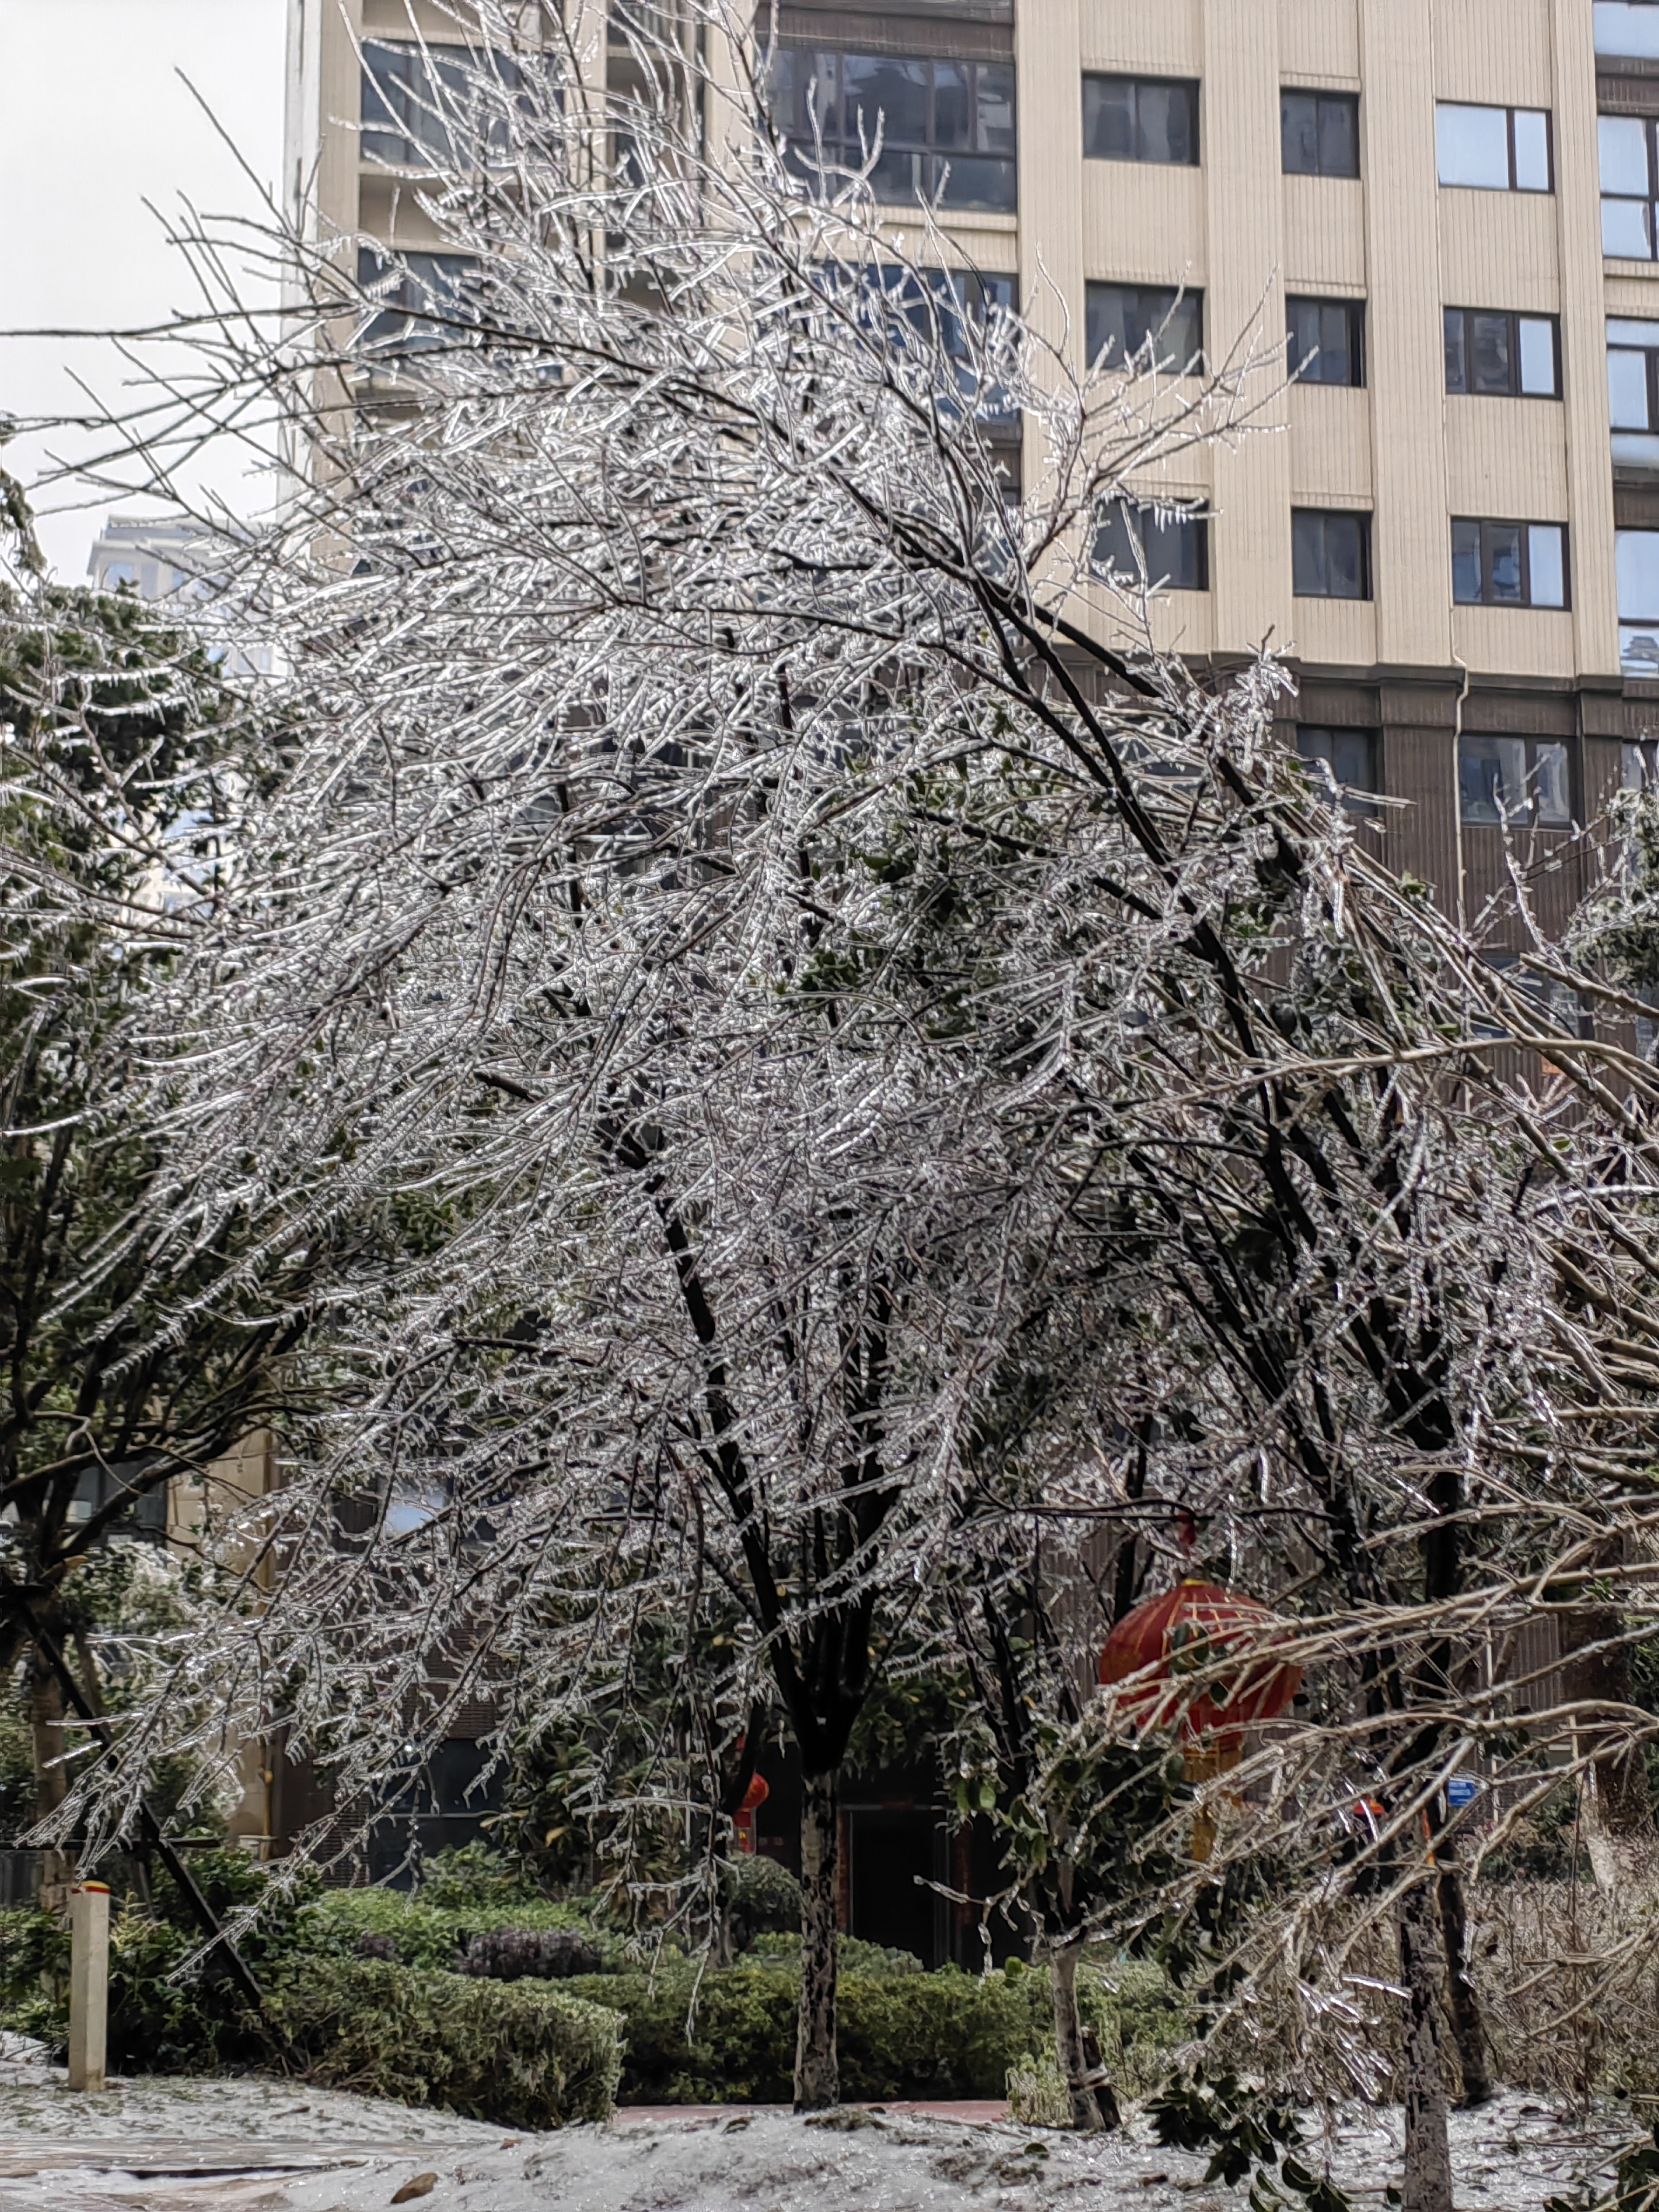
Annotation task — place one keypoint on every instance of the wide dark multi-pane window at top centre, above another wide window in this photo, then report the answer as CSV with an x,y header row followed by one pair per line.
x,y
946,127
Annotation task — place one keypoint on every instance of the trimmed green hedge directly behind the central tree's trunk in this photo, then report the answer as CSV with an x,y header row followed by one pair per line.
x,y
897,2036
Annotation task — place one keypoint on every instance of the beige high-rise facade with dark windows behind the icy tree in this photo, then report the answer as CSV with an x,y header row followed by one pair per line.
x,y
1446,209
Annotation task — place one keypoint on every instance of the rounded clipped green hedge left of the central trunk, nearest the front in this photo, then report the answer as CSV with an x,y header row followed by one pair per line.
x,y
521,2054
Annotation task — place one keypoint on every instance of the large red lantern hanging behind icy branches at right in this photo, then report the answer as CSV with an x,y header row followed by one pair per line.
x,y
1196,1629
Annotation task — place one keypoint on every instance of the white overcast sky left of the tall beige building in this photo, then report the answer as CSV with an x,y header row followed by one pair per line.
x,y
94,123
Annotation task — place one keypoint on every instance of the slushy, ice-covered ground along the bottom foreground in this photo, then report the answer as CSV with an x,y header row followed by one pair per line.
x,y
255,2145
